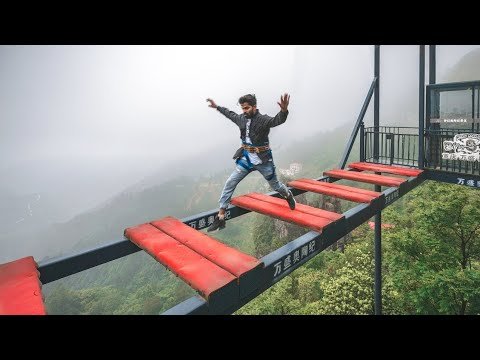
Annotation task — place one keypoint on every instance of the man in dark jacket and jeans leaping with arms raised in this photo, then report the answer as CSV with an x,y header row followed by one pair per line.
x,y
255,153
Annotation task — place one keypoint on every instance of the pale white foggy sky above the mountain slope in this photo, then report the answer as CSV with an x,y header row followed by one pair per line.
x,y
81,123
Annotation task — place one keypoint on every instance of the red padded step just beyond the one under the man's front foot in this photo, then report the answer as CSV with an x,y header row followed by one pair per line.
x,y
340,191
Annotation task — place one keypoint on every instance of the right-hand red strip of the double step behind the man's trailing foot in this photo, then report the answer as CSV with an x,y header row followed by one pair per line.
x,y
228,258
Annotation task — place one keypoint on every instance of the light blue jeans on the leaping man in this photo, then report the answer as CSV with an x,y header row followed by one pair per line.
x,y
268,172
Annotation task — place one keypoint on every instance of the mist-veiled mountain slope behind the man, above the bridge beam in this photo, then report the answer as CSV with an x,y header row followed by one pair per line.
x,y
182,195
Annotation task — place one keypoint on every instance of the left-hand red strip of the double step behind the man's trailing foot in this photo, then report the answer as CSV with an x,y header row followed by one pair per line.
x,y
200,273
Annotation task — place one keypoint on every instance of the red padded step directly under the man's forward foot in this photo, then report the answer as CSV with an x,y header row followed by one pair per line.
x,y
303,215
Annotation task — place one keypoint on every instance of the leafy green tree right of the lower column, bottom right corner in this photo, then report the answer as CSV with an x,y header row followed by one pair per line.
x,y
433,251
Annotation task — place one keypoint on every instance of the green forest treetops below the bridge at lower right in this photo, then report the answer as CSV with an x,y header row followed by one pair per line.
x,y
430,263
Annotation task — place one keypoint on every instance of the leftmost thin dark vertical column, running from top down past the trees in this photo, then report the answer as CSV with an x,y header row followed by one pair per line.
x,y
378,216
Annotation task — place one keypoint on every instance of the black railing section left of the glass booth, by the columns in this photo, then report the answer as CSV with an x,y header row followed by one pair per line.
x,y
397,145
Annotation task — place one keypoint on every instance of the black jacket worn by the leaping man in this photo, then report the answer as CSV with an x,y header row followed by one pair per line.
x,y
259,127
